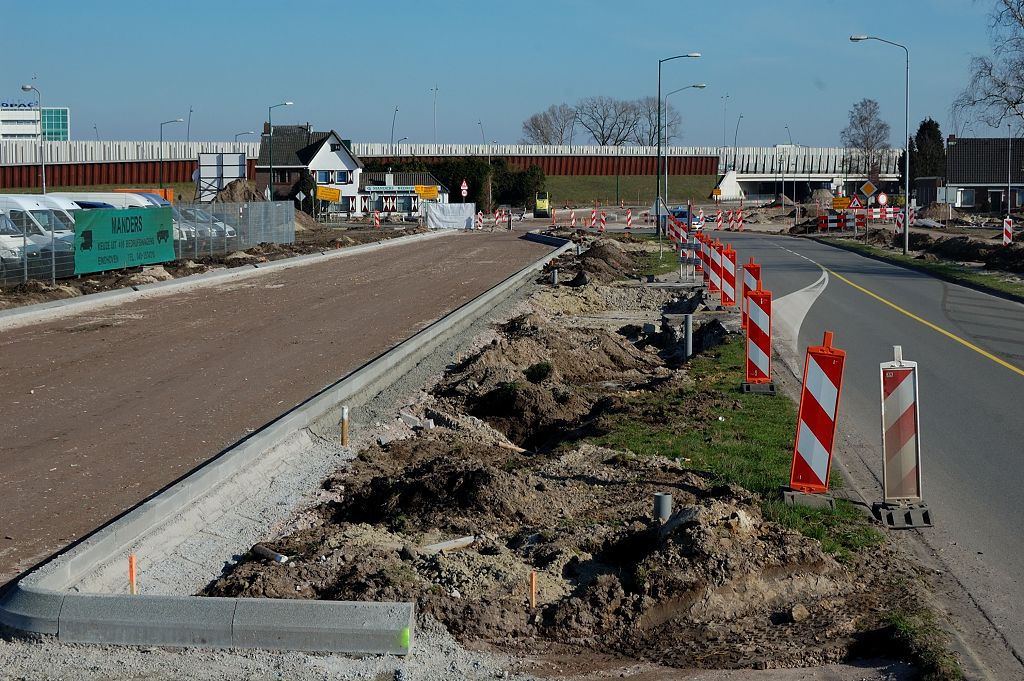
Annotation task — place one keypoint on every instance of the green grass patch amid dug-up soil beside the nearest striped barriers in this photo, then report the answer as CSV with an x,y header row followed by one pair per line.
x,y
736,438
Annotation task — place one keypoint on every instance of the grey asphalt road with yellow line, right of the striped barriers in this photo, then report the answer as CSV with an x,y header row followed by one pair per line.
x,y
972,433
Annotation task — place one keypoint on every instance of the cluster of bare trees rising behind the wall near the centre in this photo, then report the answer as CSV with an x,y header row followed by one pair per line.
x,y
606,121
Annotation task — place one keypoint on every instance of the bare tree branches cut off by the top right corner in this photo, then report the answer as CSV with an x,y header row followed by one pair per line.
x,y
996,91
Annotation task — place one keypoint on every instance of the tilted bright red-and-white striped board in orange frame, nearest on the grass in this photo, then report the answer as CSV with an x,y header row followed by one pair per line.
x,y
817,419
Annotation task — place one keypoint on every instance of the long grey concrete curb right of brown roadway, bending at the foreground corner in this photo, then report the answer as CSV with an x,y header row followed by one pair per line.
x,y
42,603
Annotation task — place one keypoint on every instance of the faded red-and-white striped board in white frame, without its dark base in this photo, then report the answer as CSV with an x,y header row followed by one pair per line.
x,y
901,442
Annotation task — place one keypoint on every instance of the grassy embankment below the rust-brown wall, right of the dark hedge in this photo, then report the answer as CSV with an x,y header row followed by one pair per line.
x,y
634,190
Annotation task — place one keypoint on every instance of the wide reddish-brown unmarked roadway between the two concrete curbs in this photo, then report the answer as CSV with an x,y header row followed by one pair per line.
x,y
102,409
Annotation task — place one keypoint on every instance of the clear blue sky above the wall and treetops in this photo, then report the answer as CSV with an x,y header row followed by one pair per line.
x,y
126,67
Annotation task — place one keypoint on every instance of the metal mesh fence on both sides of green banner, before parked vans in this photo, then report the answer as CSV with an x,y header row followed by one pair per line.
x,y
41,246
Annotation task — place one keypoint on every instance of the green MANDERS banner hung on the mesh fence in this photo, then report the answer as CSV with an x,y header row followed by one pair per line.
x,y
114,239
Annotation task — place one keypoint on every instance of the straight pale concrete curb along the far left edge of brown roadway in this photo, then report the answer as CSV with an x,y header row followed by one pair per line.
x,y
19,317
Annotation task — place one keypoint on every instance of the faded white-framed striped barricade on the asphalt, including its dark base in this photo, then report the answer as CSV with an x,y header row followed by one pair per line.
x,y
903,506
